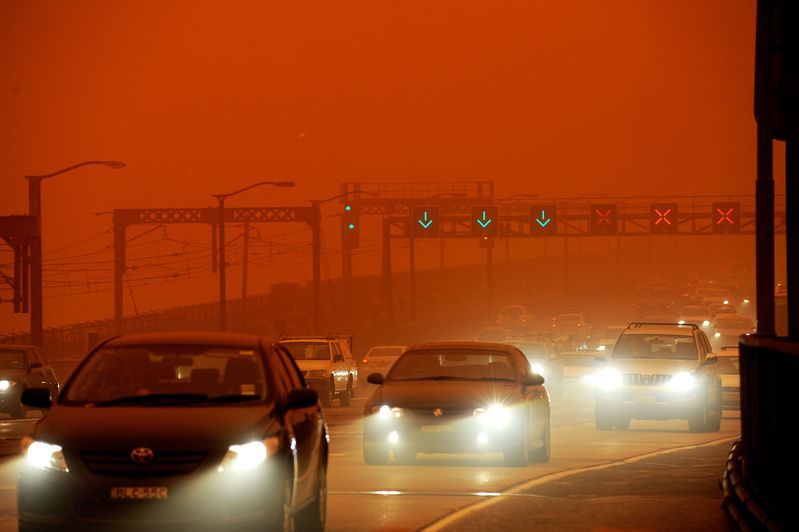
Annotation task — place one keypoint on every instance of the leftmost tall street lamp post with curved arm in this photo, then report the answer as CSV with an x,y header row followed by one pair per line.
x,y
35,209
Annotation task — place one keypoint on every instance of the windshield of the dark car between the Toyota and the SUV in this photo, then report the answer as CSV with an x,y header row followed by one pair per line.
x,y
453,364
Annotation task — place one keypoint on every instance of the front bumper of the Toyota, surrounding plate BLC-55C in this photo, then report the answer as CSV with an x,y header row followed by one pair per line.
x,y
203,500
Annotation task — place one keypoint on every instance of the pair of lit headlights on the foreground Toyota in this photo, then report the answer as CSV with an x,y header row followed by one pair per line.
x,y
241,457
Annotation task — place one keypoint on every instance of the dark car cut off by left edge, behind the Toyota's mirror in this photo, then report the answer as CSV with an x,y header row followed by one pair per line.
x,y
23,367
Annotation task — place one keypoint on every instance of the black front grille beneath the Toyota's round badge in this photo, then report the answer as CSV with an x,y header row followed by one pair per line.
x,y
119,463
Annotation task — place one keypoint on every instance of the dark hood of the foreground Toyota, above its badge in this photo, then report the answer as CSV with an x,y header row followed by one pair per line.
x,y
192,426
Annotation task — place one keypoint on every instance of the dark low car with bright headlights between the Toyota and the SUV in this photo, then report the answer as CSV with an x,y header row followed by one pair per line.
x,y
452,397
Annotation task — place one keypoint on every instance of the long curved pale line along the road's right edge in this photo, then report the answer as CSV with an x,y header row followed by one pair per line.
x,y
455,516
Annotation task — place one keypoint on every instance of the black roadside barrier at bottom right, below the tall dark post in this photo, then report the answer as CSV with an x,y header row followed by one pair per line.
x,y
768,467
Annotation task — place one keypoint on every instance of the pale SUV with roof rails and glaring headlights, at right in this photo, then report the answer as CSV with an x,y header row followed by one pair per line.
x,y
659,371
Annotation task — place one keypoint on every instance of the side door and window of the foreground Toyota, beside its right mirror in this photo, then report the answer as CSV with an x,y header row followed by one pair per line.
x,y
305,425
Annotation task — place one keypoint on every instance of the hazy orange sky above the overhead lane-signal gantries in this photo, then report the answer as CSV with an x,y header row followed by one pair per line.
x,y
566,98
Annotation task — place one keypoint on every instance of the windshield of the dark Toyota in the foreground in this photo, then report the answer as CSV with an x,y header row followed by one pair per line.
x,y
168,373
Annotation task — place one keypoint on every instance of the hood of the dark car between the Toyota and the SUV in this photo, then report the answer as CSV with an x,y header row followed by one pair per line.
x,y
469,394
